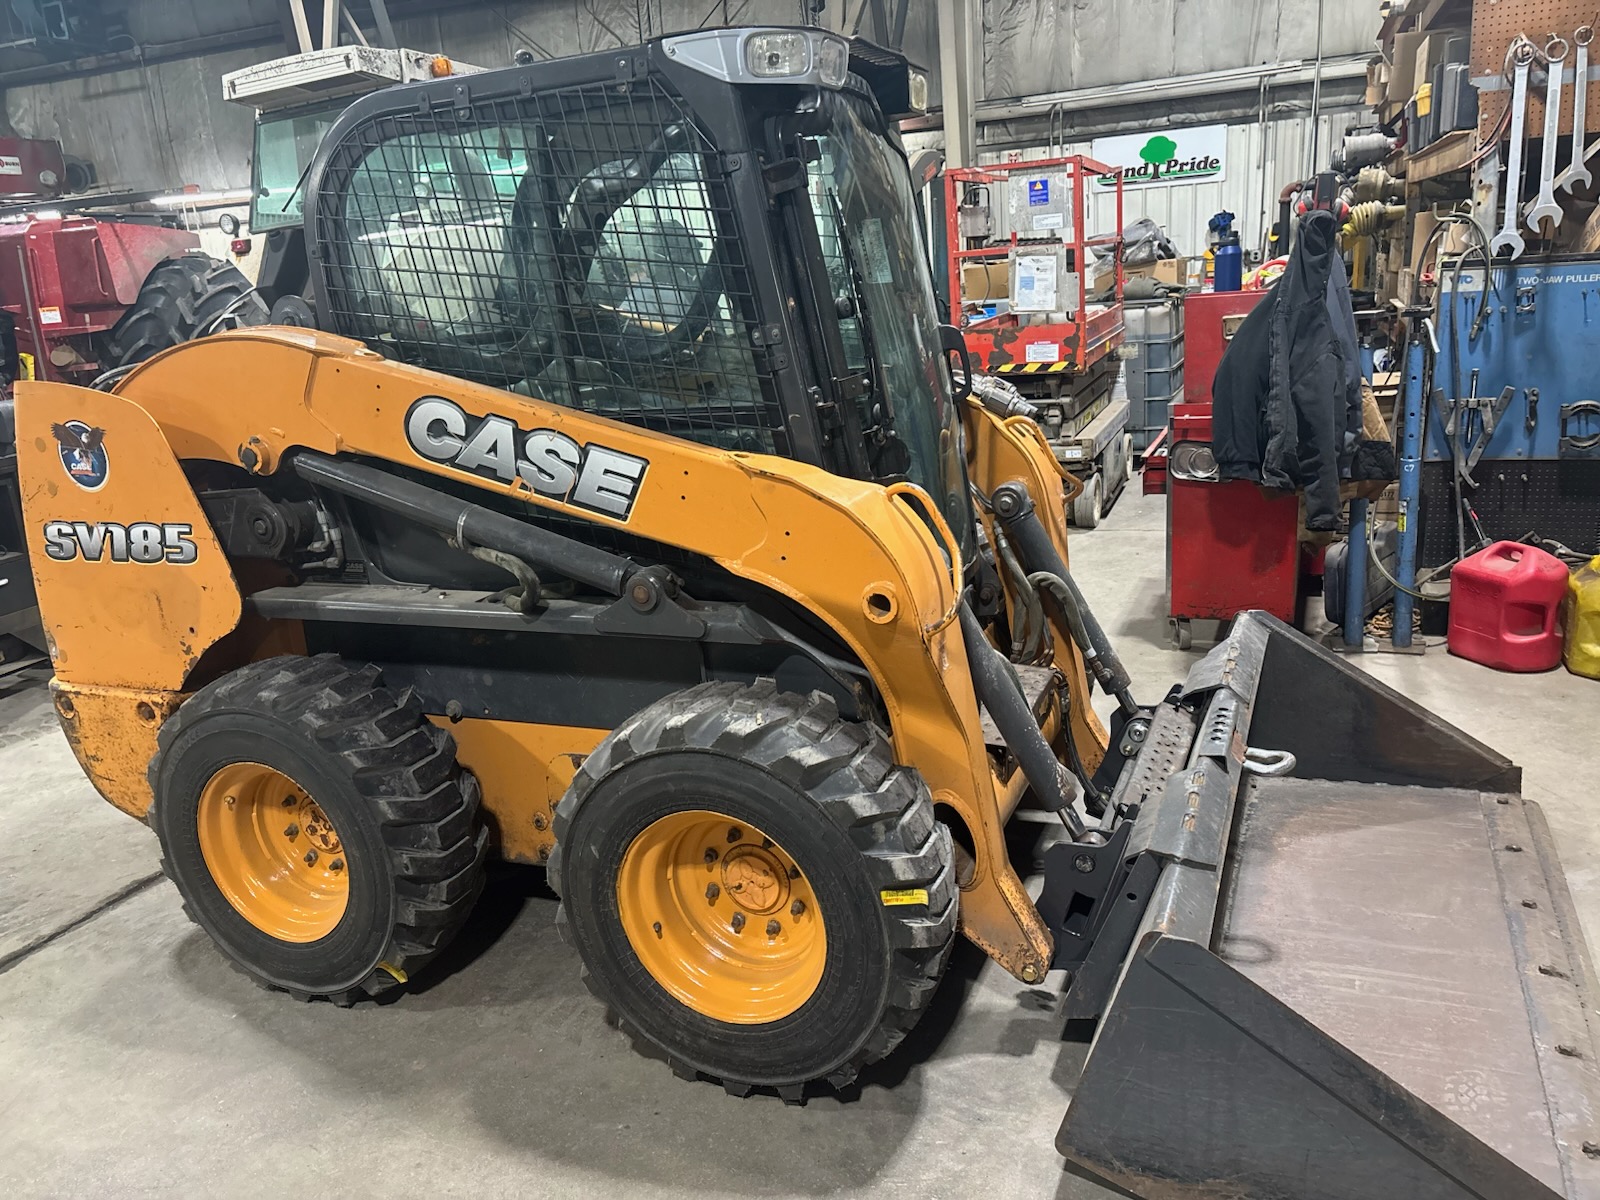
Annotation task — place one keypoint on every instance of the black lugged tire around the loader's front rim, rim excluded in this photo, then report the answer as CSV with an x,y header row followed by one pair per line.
x,y
830,793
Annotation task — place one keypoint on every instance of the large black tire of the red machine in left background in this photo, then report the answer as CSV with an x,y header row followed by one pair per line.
x,y
182,300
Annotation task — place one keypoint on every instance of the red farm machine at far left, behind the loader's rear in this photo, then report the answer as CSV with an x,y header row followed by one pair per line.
x,y
66,281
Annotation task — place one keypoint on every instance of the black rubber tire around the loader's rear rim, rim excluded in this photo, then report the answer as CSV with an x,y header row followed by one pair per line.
x,y
386,778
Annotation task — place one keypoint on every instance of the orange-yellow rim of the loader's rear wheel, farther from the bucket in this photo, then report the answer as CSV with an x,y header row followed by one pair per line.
x,y
273,854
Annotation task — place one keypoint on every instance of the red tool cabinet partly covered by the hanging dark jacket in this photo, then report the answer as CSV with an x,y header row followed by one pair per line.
x,y
1230,546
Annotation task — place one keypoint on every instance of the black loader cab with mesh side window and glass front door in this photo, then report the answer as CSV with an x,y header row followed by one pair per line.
x,y
713,236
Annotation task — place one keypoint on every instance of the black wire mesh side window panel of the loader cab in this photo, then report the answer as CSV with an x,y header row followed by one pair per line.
x,y
575,246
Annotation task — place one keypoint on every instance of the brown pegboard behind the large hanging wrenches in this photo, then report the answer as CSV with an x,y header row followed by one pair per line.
x,y
1497,23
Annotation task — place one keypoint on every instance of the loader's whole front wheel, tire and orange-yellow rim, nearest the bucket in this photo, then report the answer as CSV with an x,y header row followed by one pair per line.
x,y
754,887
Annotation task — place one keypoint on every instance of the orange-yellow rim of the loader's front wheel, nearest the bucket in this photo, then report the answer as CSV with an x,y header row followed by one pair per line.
x,y
722,918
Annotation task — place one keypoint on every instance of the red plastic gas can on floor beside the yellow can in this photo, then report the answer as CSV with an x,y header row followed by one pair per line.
x,y
1503,607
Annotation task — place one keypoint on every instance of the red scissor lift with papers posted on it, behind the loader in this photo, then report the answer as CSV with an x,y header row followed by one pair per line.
x,y
1020,292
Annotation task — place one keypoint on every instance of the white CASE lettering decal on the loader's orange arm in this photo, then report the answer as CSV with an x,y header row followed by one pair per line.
x,y
494,447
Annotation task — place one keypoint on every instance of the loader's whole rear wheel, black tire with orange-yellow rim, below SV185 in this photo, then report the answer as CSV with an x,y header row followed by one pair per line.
x,y
318,826
